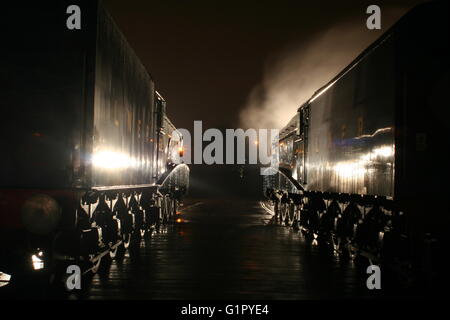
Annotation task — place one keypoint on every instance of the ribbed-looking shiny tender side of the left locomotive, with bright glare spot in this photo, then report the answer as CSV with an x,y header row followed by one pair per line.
x,y
123,142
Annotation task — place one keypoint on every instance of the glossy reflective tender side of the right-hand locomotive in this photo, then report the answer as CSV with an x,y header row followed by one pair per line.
x,y
351,145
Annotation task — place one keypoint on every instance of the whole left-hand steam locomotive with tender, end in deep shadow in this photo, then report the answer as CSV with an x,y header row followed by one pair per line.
x,y
89,157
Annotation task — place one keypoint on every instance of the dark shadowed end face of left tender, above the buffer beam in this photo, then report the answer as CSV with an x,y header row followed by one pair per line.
x,y
44,89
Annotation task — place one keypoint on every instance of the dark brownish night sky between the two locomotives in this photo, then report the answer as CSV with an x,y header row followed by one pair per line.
x,y
207,56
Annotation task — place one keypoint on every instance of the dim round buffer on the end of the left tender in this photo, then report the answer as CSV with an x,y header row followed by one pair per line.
x,y
41,214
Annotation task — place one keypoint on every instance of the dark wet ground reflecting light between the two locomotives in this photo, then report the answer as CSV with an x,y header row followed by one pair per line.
x,y
228,249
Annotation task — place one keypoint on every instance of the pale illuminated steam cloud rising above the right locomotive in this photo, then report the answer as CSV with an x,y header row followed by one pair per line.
x,y
297,74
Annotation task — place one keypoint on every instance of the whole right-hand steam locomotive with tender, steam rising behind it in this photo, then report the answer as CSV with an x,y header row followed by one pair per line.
x,y
363,161
